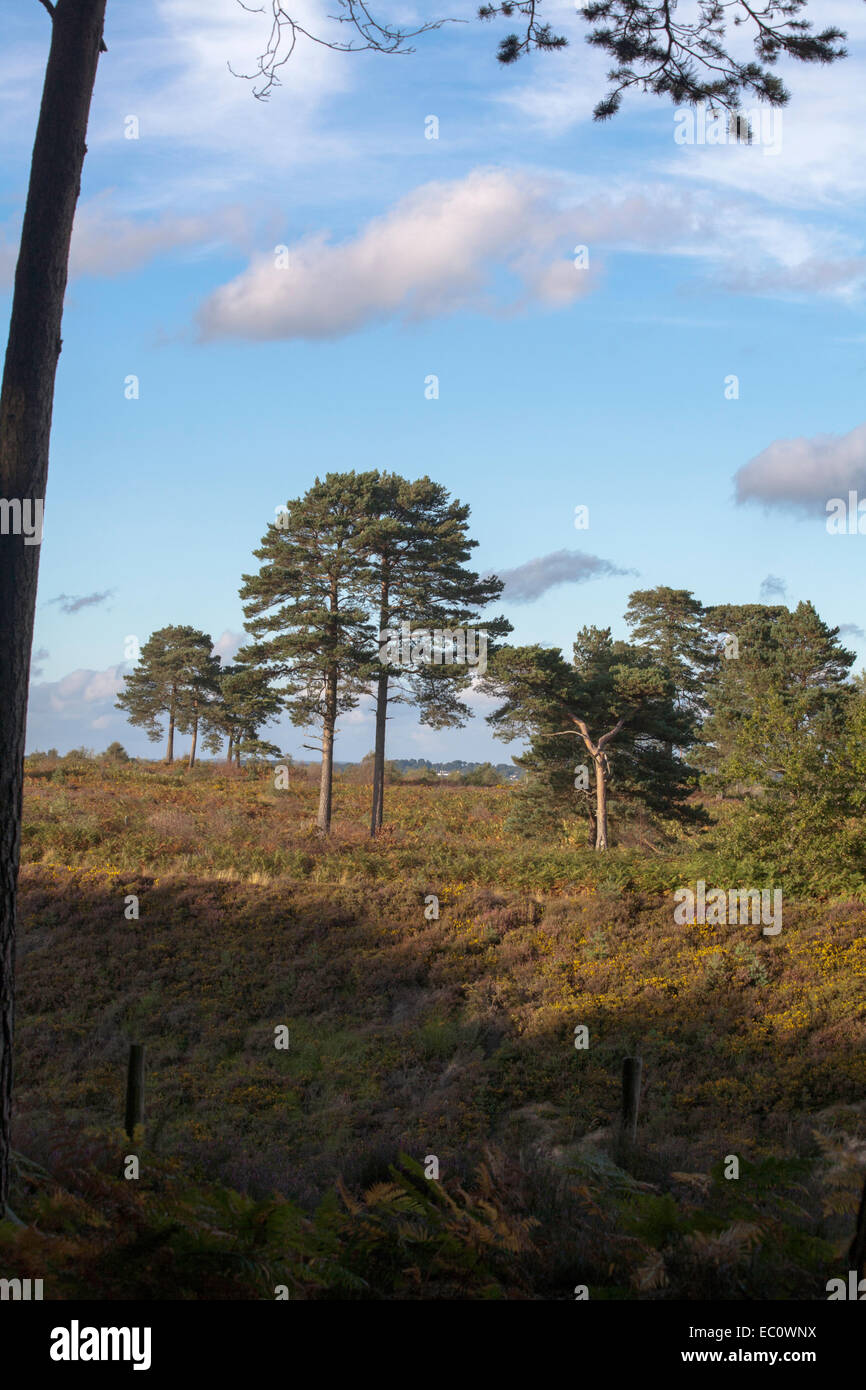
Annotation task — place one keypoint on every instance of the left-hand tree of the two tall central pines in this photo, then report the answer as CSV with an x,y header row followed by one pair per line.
x,y
307,611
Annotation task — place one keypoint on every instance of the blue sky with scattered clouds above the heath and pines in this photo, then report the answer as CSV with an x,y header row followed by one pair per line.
x,y
454,256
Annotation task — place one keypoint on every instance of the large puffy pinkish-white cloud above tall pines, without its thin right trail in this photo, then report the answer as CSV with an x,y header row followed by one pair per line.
x,y
434,254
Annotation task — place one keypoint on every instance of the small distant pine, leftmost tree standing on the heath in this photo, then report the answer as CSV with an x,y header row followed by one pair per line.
x,y
174,676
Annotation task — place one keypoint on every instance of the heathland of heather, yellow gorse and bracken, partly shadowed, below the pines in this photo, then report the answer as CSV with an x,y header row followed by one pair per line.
x,y
414,1038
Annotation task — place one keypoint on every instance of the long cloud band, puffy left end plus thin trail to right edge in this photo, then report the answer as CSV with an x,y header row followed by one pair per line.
x,y
440,250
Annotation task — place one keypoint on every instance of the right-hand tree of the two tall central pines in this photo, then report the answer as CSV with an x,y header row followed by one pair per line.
x,y
416,544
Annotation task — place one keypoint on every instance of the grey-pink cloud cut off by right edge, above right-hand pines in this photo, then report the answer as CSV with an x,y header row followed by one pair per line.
x,y
803,475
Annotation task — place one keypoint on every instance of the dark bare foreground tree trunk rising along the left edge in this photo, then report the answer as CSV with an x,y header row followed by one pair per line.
x,y
27,400
